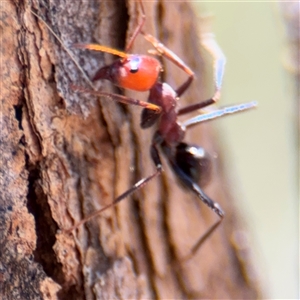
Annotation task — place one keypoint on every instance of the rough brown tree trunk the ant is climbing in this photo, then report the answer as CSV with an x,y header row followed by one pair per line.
x,y
65,154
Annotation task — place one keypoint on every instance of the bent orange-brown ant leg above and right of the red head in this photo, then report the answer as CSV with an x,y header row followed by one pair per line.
x,y
170,55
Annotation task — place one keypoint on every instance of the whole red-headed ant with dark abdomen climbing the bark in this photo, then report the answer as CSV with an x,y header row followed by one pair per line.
x,y
140,73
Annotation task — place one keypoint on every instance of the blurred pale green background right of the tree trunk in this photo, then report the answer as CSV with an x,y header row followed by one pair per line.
x,y
264,166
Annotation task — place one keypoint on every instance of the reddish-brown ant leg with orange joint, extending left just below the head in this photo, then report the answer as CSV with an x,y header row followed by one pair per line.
x,y
119,98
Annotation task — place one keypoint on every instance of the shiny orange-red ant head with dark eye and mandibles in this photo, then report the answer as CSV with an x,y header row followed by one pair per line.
x,y
135,72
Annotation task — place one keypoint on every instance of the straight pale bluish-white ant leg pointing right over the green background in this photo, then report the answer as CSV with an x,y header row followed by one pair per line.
x,y
219,113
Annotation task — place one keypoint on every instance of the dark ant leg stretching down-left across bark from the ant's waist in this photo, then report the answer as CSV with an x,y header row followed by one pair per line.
x,y
156,159
